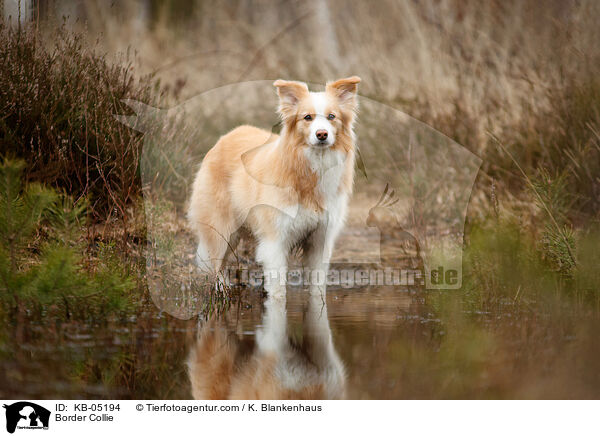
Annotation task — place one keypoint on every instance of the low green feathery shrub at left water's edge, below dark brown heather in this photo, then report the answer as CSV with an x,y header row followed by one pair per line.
x,y
41,268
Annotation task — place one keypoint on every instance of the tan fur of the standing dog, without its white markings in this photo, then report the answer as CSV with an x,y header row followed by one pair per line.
x,y
251,175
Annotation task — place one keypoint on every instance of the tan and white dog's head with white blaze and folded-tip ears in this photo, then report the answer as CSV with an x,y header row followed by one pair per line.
x,y
318,118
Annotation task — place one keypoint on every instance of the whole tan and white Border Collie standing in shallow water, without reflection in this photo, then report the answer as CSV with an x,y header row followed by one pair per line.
x,y
289,190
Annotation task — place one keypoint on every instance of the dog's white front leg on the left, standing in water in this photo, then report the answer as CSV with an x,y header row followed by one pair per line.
x,y
272,254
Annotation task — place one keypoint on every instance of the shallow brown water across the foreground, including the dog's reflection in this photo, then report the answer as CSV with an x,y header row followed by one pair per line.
x,y
364,343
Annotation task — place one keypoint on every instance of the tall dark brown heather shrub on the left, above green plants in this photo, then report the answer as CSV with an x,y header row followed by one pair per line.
x,y
58,106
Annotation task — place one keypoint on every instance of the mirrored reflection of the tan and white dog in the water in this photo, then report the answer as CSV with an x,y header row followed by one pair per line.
x,y
277,368
